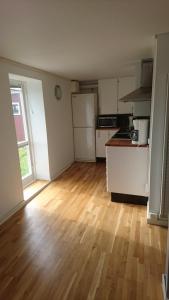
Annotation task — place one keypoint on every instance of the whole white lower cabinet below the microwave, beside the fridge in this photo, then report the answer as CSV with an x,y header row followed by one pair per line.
x,y
102,136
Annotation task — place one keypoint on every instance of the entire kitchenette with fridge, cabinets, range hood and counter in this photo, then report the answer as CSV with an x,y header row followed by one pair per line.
x,y
115,128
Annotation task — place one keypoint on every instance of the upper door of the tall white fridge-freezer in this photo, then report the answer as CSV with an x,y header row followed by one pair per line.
x,y
84,110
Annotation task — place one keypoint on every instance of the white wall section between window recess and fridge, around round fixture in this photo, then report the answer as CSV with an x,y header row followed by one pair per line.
x,y
59,126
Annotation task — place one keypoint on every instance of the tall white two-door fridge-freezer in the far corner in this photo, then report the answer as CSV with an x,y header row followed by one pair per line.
x,y
84,108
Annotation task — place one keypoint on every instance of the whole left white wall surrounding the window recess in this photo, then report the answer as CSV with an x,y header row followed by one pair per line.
x,y
59,132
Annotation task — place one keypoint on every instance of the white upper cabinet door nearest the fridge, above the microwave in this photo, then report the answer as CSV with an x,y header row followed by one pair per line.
x,y
108,89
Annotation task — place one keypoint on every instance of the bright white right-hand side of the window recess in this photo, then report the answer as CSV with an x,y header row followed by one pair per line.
x,y
36,110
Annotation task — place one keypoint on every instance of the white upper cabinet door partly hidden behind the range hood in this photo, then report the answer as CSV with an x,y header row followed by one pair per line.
x,y
125,86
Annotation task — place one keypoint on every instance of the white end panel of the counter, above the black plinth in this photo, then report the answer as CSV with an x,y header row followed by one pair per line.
x,y
127,170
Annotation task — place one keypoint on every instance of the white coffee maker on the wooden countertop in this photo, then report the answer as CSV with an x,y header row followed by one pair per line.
x,y
140,132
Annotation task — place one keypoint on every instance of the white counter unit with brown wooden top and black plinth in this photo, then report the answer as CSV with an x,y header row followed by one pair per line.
x,y
127,171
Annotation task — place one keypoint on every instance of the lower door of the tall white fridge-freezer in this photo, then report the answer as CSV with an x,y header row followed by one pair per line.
x,y
84,144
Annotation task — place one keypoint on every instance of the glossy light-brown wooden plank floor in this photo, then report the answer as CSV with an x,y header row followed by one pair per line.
x,y
71,242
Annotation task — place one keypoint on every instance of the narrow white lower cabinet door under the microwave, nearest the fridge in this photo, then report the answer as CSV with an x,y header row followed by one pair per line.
x,y
101,139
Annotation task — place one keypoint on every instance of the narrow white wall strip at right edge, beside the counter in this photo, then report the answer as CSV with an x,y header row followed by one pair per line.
x,y
161,69
